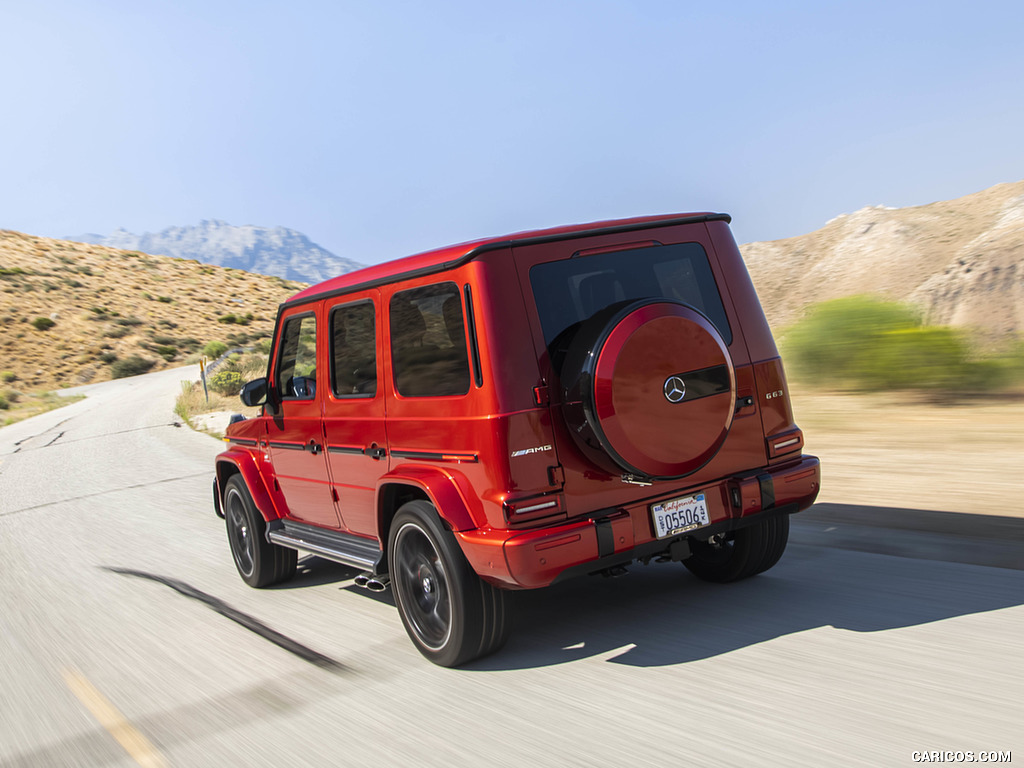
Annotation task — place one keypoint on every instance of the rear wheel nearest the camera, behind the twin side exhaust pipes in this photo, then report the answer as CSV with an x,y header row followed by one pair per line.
x,y
451,615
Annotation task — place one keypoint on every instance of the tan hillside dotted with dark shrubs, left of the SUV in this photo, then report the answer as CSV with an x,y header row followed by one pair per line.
x,y
107,306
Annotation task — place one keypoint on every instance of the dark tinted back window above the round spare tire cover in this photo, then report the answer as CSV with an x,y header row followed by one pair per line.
x,y
570,291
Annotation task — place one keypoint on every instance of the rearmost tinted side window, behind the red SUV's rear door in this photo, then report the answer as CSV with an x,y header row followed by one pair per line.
x,y
429,343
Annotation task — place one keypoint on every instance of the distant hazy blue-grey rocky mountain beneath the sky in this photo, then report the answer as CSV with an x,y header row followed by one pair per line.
x,y
277,251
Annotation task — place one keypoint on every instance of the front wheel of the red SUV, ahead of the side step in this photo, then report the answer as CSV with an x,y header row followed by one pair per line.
x,y
260,563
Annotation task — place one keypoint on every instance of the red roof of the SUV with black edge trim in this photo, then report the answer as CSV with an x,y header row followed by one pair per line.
x,y
452,257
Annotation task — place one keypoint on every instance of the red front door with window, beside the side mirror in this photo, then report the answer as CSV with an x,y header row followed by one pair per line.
x,y
296,430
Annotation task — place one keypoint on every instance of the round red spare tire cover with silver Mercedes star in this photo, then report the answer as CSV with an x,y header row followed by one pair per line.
x,y
650,390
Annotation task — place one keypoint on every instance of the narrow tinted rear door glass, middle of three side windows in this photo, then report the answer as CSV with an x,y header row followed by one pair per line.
x,y
354,351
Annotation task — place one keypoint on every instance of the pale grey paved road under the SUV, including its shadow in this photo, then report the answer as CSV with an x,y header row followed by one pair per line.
x,y
126,637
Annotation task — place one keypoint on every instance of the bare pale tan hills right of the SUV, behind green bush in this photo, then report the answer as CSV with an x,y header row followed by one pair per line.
x,y
962,262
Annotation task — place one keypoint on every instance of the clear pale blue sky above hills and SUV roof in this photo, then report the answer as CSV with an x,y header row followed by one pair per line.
x,y
386,129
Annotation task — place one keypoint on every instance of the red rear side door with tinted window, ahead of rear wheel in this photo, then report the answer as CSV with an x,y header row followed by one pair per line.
x,y
354,409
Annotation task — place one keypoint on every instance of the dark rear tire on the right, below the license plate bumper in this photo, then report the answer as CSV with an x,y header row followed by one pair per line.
x,y
753,551
